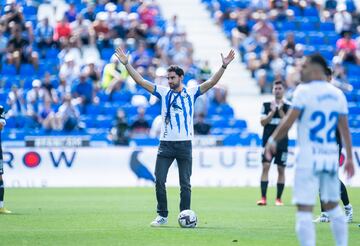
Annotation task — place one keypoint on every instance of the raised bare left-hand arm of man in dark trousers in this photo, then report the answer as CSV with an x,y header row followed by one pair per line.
x,y
124,59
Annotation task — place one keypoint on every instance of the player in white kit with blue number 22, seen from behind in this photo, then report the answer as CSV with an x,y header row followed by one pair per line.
x,y
319,108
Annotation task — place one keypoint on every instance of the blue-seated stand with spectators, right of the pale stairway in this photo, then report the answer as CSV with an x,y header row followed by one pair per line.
x,y
273,36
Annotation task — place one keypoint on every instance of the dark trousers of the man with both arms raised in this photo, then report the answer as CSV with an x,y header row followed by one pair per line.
x,y
167,153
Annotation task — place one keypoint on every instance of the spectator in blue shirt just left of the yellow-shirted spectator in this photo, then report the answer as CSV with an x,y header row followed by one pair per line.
x,y
83,92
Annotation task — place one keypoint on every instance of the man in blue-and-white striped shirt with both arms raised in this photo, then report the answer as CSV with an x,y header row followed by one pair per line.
x,y
177,131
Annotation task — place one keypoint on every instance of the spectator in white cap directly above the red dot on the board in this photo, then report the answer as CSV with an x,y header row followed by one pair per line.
x,y
35,101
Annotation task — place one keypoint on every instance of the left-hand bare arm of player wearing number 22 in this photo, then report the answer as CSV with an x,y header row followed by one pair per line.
x,y
281,131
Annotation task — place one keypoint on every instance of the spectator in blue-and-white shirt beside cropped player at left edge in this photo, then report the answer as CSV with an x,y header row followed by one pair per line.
x,y
16,102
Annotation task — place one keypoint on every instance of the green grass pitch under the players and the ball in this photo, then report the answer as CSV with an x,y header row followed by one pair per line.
x,y
121,216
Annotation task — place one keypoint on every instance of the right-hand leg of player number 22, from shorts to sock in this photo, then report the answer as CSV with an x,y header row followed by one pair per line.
x,y
330,195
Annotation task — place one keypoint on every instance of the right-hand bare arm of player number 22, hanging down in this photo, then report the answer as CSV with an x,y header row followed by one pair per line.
x,y
345,134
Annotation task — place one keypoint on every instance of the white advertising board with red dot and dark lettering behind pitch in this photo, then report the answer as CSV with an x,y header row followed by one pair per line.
x,y
123,166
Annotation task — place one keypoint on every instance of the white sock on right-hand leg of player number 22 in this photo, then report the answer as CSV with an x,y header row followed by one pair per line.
x,y
339,226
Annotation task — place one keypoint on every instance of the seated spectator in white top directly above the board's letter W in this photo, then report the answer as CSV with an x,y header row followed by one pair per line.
x,y
68,114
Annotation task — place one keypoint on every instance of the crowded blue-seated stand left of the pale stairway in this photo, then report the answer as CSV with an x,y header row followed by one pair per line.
x,y
59,76
